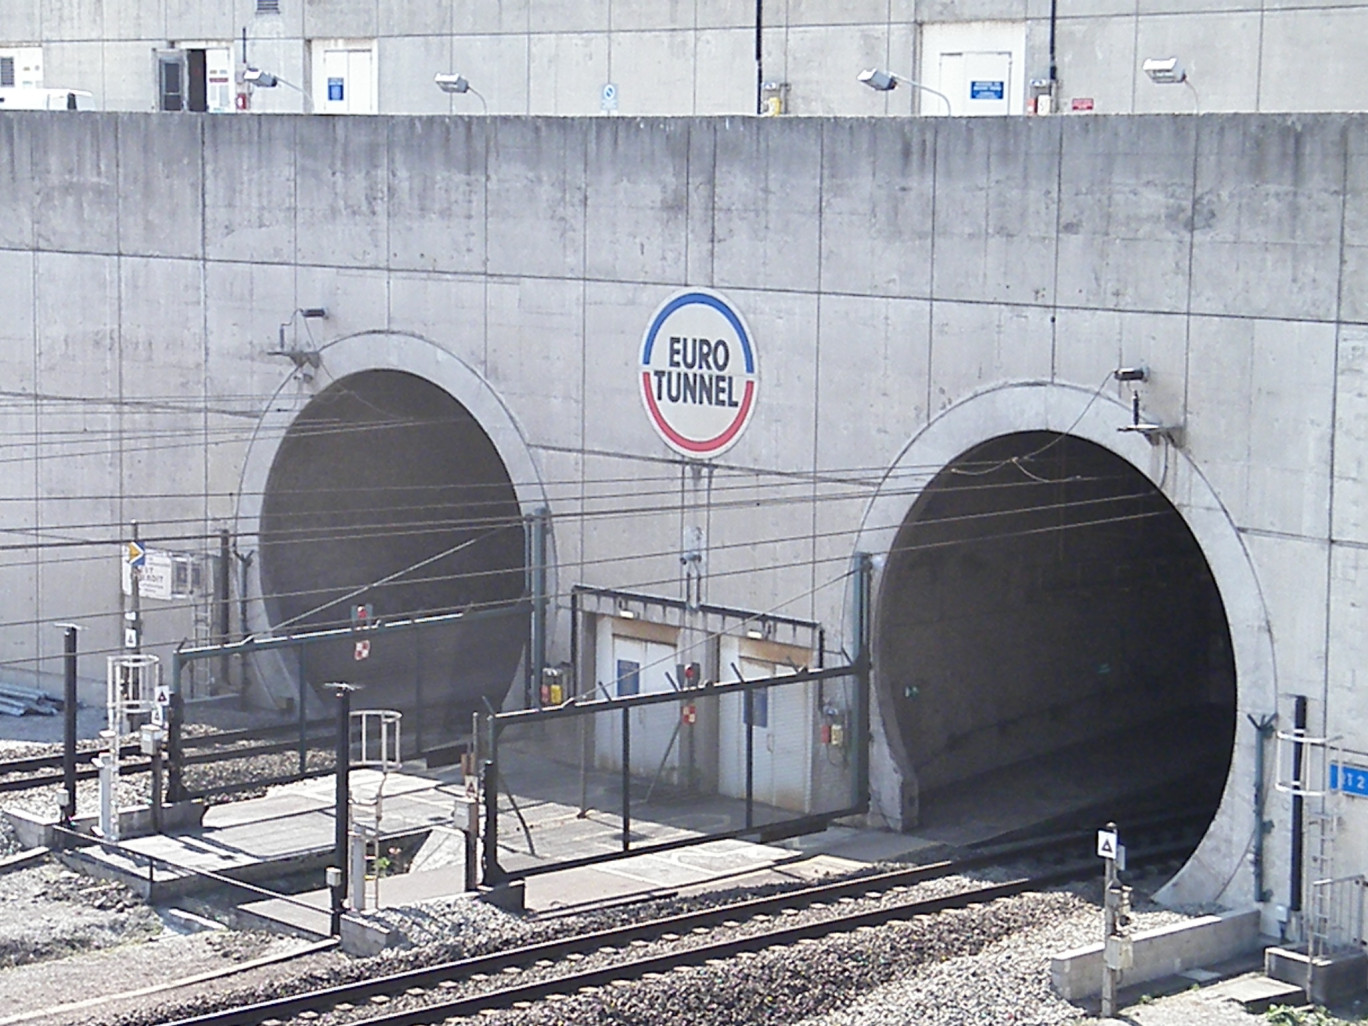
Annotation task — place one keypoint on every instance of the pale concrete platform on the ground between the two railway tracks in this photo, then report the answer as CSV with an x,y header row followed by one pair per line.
x,y
291,832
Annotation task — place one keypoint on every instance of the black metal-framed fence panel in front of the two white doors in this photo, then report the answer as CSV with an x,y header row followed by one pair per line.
x,y
598,780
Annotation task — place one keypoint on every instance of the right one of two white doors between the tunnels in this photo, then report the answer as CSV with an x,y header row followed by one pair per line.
x,y
782,728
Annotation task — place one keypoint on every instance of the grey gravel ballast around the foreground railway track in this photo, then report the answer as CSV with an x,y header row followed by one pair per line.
x,y
66,939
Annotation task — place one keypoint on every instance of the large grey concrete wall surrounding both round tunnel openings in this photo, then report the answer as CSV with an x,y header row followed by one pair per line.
x,y
915,288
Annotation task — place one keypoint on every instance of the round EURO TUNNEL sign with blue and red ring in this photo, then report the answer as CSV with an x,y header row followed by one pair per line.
x,y
700,374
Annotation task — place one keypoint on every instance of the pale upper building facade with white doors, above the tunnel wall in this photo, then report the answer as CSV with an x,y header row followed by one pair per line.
x,y
690,57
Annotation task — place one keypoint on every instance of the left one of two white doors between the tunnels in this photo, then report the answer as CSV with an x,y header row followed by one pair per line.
x,y
641,668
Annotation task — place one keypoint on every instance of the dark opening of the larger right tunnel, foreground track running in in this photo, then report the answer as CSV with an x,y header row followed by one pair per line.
x,y
1051,635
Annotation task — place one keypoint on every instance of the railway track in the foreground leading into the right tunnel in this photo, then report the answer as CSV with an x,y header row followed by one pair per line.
x,y
427,995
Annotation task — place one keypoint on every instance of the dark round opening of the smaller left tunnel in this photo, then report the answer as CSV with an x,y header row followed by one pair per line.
x,y
388,493
